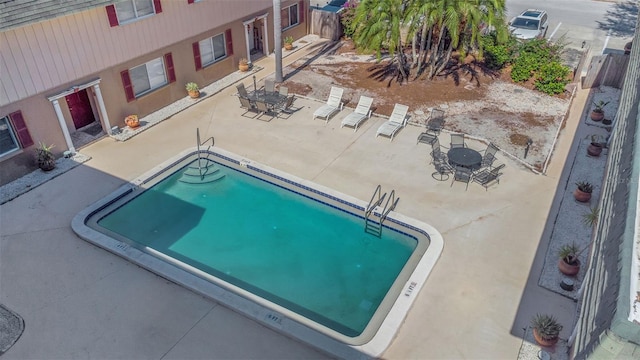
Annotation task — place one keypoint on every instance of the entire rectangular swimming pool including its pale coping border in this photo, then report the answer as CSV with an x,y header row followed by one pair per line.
x,y
259,245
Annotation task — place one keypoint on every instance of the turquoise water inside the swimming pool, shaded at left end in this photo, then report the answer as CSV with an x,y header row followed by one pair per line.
x,y
303,254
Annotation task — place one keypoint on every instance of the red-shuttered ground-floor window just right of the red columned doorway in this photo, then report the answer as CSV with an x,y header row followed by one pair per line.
x,y
147,77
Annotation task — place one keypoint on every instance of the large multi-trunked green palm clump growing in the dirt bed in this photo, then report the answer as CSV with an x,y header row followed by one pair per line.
x,y
440,27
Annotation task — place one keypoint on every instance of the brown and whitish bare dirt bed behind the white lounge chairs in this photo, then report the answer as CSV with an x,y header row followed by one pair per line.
x,y
481,104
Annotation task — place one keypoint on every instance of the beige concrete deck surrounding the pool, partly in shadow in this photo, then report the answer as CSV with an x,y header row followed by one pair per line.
x,y
78,300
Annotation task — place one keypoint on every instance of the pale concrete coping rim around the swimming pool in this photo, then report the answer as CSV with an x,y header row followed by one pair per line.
x,y
380,341
